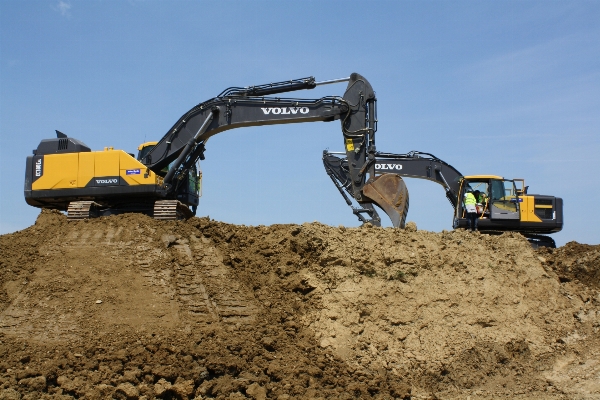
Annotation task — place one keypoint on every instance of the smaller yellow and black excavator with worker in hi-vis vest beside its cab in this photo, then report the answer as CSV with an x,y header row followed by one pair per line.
x,y
504,204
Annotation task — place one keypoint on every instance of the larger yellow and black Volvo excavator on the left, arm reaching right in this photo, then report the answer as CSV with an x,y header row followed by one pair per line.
x,y
163,180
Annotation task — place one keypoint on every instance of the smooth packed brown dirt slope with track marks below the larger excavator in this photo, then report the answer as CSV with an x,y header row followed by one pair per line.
x,y
98,272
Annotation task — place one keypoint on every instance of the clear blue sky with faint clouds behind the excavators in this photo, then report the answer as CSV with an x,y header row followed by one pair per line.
x,y
505,88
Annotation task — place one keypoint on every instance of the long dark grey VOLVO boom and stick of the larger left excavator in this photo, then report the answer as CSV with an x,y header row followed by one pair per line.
x,y
185,143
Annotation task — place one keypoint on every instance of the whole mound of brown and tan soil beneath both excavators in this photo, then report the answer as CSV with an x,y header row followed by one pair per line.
x,y
126,307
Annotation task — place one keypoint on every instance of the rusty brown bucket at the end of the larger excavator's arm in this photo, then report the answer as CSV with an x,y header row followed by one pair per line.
x,y
389,192
